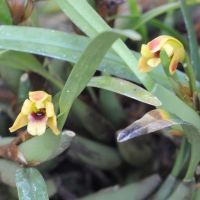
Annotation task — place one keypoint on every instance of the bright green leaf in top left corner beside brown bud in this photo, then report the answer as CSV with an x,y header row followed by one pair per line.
x,y
5,16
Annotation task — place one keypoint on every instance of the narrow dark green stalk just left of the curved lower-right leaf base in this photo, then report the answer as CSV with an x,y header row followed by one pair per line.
x,y
182,157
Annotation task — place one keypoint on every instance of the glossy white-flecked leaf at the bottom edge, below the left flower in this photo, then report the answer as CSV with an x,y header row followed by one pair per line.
x,y
30,184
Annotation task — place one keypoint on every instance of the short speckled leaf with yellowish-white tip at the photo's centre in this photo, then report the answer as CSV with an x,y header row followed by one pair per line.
x,y
125,88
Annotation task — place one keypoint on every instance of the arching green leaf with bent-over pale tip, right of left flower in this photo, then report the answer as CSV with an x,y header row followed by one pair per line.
x,y
86,66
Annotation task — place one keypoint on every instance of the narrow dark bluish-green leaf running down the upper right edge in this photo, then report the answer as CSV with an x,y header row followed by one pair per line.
x,y
192,39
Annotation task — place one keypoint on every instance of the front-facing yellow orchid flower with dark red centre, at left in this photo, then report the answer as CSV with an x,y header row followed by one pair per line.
x,y
37,113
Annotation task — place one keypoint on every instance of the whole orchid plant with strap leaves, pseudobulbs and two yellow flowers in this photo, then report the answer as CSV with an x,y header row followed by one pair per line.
x,y
25,51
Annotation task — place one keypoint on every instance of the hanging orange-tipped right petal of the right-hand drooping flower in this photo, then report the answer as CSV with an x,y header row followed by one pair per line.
x,y
178,56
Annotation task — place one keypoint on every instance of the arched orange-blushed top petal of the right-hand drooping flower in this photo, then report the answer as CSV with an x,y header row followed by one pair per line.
x,y
157,43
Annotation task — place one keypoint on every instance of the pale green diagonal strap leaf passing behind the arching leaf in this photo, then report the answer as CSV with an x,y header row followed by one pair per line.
x,y
81,13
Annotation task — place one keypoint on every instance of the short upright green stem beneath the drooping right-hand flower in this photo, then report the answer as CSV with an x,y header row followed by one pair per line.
x,y
190,73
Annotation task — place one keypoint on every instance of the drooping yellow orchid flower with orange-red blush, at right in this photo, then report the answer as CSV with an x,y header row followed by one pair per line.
x,y
150,53
